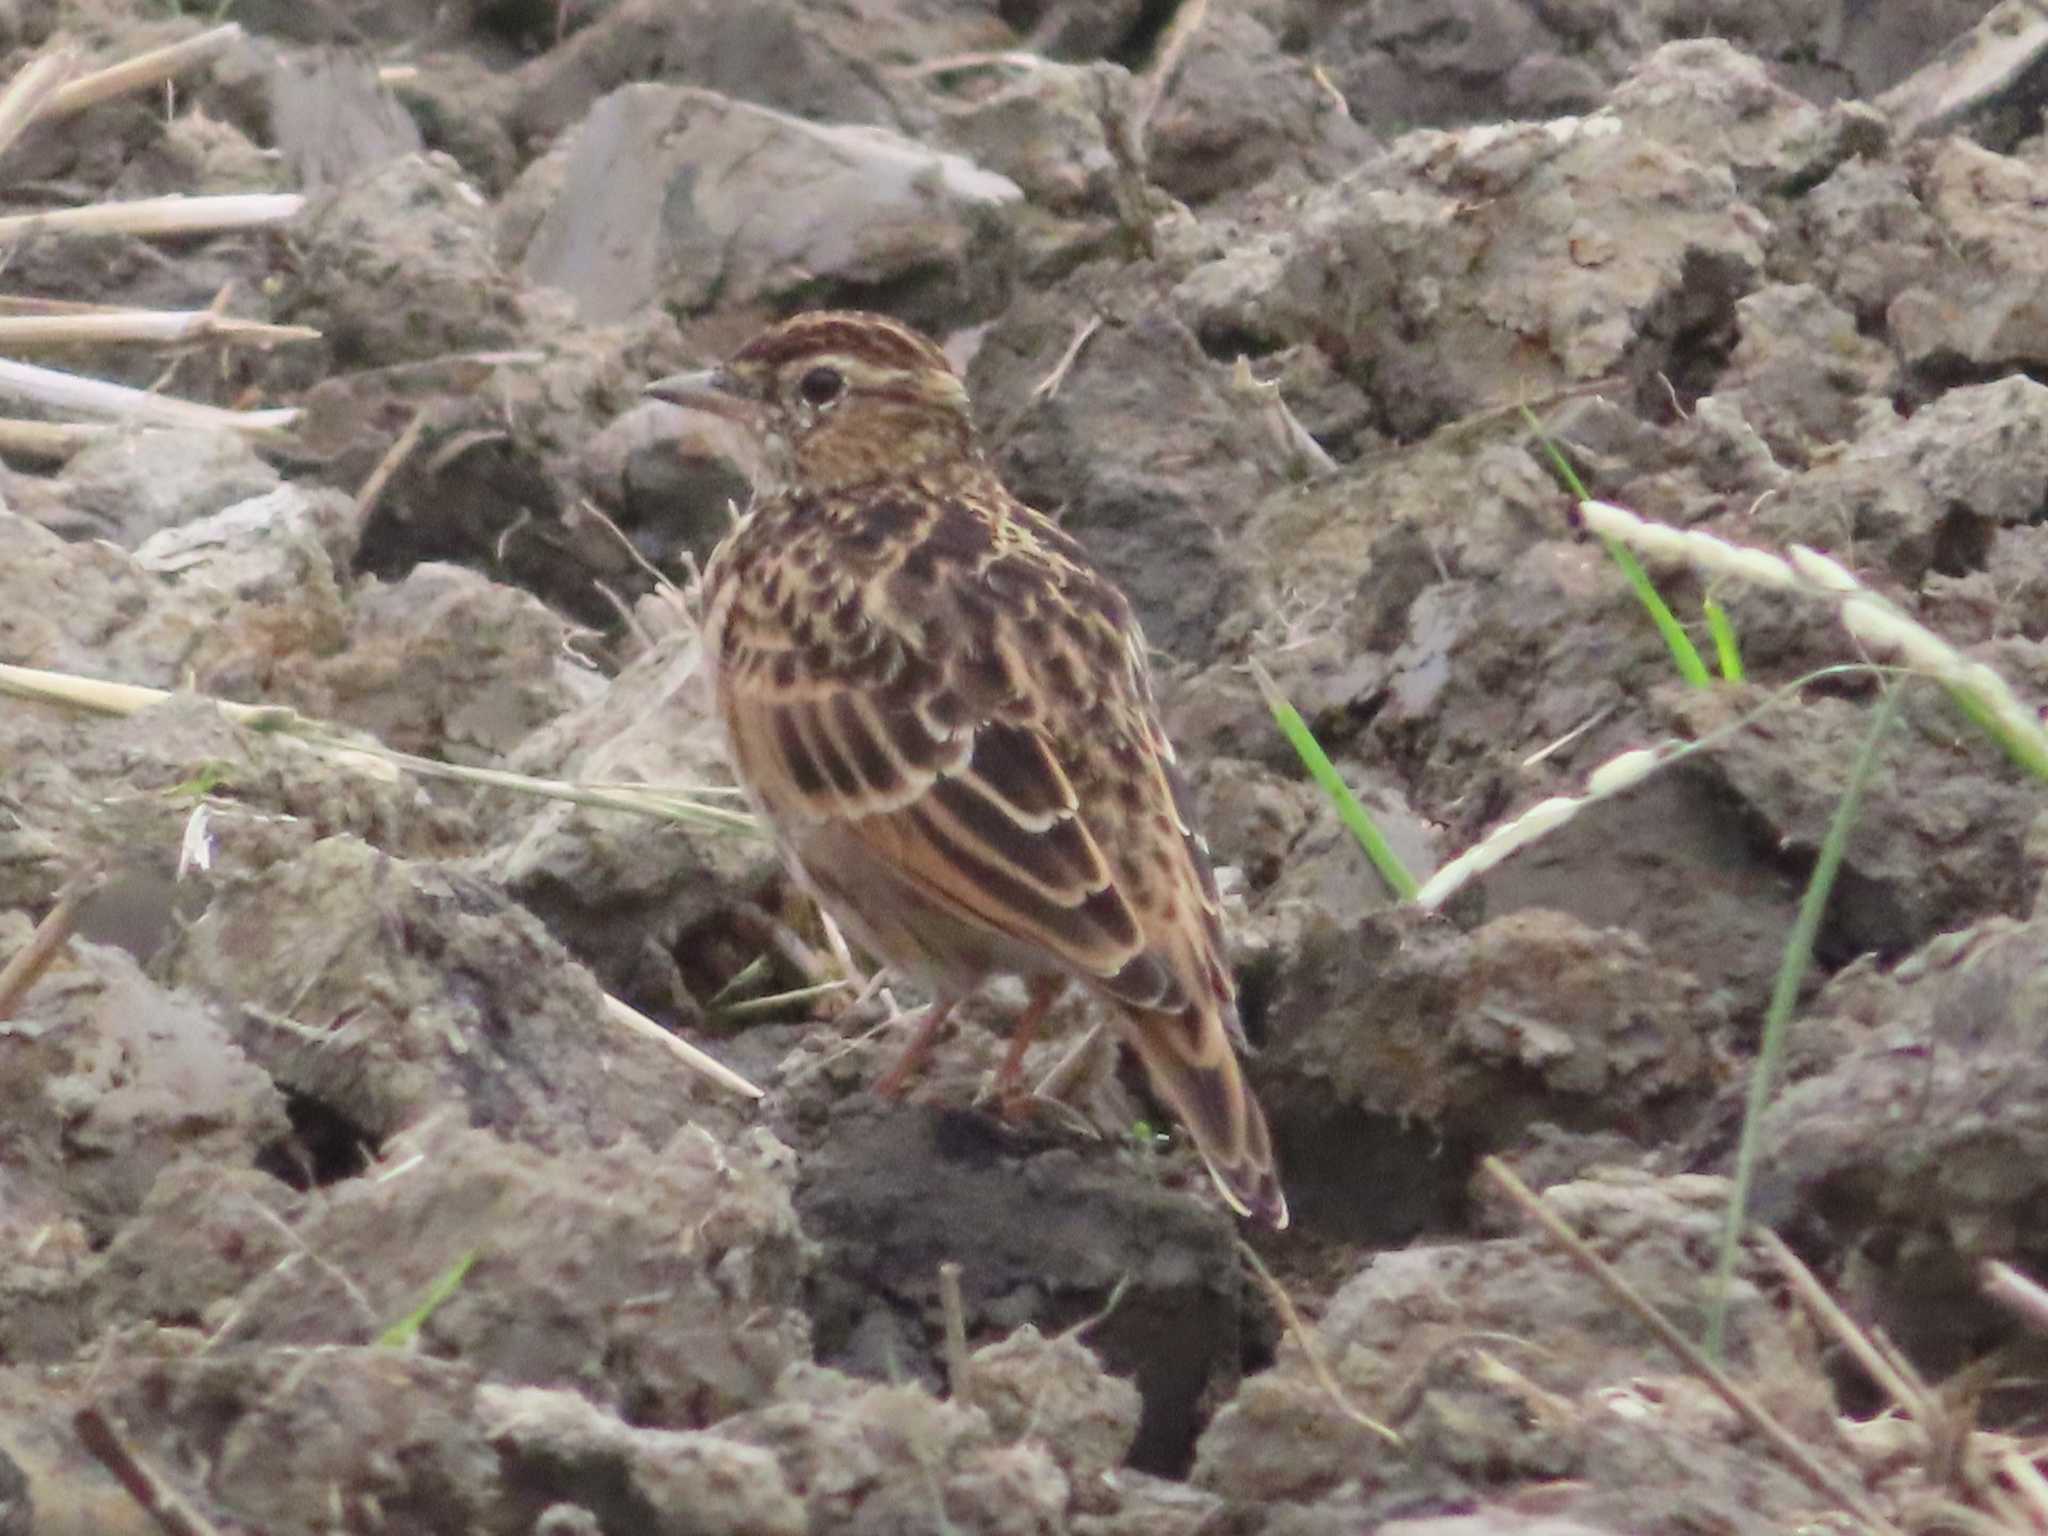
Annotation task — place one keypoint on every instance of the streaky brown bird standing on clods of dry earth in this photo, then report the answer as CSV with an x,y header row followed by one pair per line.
x,y
945,714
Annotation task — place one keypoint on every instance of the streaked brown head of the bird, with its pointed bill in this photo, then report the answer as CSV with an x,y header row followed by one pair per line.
x,y
837,398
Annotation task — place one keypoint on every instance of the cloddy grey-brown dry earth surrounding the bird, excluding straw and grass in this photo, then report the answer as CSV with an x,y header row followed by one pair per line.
x,y
335,1191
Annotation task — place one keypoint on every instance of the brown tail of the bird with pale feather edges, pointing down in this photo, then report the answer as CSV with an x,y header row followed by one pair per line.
x,y
1195,1070
